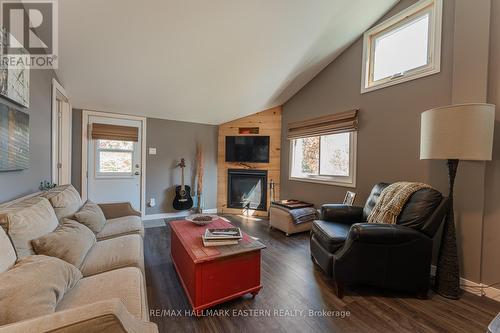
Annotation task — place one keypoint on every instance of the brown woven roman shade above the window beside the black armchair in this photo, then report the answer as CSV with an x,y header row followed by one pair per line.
x,y
341,122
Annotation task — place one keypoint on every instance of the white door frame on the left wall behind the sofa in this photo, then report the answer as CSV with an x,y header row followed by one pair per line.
x,y
61,136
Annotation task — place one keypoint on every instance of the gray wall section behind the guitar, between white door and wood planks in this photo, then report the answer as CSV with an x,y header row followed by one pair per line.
x,y
174,140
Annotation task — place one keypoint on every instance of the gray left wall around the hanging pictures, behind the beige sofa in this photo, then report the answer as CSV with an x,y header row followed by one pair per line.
x,y
18,183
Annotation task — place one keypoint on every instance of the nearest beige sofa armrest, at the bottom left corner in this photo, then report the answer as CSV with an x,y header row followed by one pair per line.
x,y
105,316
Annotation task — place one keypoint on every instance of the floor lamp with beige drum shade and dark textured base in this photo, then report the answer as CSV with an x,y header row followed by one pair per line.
x,y
454,133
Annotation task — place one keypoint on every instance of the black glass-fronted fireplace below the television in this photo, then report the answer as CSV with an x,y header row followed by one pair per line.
x,y
247,189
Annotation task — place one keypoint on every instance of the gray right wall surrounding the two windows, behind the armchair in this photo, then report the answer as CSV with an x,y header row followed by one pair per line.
x,y
389,133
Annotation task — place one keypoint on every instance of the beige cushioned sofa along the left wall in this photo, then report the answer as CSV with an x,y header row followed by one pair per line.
x,y
111,294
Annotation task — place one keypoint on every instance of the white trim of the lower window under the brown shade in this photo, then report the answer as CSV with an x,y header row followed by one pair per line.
x,y
349,181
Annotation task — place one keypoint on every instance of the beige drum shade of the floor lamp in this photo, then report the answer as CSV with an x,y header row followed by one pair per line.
x,y
463,132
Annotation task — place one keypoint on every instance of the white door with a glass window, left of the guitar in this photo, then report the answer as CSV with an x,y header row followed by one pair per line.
x,y
114,166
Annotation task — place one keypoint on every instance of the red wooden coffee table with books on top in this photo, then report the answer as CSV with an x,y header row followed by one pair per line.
x,y
213,275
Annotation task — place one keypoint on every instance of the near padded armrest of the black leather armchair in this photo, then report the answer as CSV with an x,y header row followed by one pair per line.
x,y
378,233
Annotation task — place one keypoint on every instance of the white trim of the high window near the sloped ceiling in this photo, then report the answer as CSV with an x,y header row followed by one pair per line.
x,y
434,66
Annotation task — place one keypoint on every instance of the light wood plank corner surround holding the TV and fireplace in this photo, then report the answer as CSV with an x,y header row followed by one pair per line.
x,y
269,123
